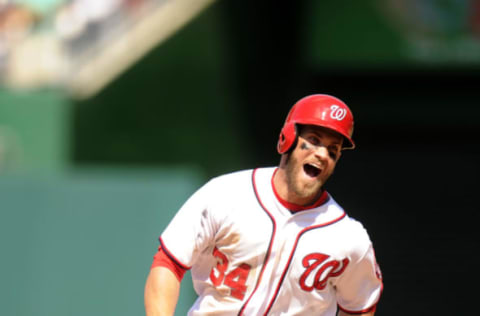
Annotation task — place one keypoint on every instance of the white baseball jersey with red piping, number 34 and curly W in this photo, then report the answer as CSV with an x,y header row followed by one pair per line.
x,y
250,255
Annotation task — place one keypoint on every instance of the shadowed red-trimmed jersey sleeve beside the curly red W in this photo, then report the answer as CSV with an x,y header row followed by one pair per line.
x,y
360,287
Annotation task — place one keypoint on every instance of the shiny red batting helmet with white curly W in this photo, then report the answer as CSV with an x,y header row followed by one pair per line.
x,y
320,110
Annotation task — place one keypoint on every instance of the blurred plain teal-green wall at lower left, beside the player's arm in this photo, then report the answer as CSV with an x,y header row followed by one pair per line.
x,y
82,243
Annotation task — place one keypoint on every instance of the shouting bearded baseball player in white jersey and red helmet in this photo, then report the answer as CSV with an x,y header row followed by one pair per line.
x,y
272,241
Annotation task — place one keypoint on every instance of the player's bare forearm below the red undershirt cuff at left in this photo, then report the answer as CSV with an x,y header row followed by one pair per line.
x,y
161,292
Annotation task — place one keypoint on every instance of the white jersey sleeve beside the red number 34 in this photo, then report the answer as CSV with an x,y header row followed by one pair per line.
x,y
191,230
